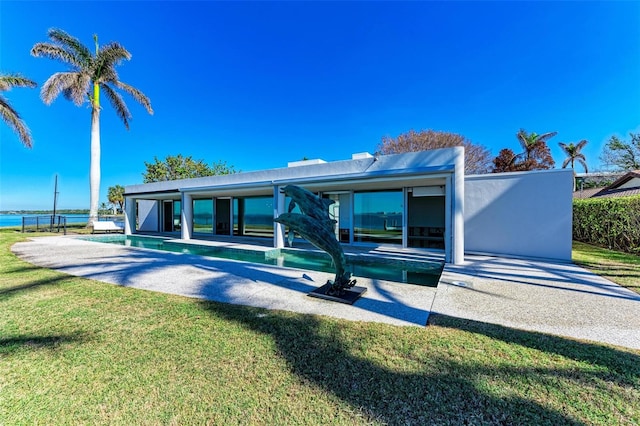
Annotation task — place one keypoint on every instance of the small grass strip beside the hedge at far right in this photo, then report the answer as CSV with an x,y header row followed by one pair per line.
x,y
621,268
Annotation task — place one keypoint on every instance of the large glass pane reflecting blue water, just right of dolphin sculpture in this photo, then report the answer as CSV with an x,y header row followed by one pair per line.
x,y
378,217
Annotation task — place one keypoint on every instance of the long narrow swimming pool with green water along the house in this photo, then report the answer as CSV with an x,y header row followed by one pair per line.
x,y
426,273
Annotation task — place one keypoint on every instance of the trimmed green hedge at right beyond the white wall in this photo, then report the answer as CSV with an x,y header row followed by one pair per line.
x,y
612,223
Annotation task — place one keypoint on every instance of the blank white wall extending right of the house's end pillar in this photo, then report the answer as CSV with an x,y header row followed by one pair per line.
x,y
526,214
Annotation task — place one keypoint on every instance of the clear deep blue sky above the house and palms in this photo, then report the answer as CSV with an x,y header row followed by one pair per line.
x,y
258,84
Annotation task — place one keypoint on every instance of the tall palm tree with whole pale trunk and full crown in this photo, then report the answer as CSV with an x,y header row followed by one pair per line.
x,y
88,75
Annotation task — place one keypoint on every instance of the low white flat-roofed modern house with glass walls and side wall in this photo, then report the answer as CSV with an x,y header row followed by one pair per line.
x,y
418,200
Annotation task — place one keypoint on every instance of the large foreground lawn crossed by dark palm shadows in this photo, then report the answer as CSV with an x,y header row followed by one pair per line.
x,y
77,351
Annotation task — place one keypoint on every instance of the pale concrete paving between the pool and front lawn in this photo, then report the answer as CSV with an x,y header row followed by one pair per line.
x,y
559,299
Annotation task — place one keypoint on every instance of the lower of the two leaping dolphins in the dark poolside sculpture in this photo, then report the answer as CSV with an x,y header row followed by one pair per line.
x,y
317,233
